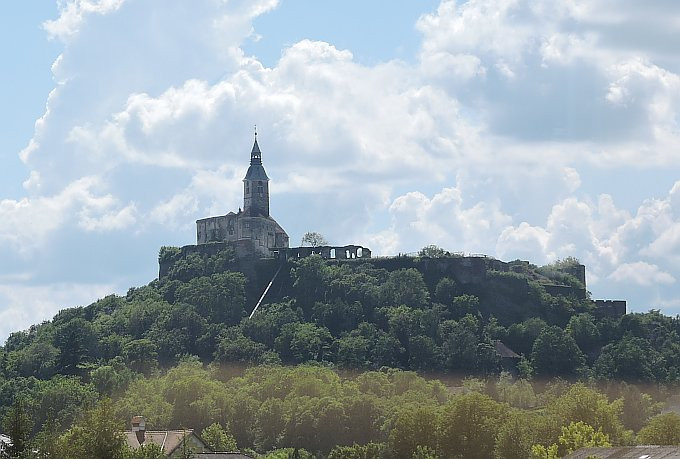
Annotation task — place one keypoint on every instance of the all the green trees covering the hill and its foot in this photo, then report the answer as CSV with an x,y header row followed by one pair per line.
x,y
346,360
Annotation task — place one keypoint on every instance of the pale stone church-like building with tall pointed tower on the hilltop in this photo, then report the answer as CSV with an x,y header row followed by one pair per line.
x,y
253,223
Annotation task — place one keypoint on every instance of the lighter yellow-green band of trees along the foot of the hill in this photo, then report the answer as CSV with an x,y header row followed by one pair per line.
x,y
313,411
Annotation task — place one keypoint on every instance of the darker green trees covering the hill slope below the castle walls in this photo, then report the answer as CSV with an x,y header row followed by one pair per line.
x,y
348,315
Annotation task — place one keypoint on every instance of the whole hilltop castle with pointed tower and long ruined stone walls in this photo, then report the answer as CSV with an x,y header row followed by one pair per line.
x,y
261,250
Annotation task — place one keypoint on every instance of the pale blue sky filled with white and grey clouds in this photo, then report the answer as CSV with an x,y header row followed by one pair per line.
x,y
530,129
